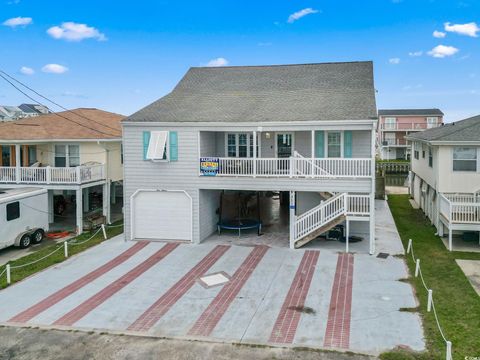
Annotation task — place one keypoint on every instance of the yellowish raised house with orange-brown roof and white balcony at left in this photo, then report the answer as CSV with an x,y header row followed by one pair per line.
x,y
76,155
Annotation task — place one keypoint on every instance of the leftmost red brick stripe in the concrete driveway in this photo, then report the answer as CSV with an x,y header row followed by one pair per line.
x,y
61,294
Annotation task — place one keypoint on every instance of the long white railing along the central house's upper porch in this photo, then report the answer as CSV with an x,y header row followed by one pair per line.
x,y
294,167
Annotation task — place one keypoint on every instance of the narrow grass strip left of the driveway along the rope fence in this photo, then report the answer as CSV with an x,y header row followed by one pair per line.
x,y
57,257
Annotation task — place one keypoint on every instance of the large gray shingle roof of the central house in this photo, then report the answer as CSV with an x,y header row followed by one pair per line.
x,y
328,91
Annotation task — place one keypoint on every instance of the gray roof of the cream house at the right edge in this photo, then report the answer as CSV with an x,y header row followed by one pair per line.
x,y
464,130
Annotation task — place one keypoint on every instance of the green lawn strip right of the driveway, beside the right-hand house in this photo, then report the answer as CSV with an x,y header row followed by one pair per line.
x,y
456,302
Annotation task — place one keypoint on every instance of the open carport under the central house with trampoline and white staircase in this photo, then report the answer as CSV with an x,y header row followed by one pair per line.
x,y
284,218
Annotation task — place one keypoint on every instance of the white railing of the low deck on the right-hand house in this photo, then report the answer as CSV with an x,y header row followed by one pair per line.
x,y
461,208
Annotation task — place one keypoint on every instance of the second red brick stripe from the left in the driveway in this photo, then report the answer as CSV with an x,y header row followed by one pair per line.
x,y
88,305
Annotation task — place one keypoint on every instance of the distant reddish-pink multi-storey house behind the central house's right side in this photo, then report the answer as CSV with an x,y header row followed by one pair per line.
x,y
395,125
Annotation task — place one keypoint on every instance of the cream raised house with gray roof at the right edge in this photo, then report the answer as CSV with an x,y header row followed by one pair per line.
x,y
445,178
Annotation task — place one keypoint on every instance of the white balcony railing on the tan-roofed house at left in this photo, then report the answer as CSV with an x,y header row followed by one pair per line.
x,y
51,175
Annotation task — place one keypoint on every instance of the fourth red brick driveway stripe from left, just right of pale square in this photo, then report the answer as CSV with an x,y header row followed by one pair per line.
x,y
219,305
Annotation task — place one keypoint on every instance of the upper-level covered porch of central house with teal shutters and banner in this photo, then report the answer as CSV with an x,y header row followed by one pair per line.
x,y
294,154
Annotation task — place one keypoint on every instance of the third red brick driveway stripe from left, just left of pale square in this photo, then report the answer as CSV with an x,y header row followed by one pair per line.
x,y
151,316
